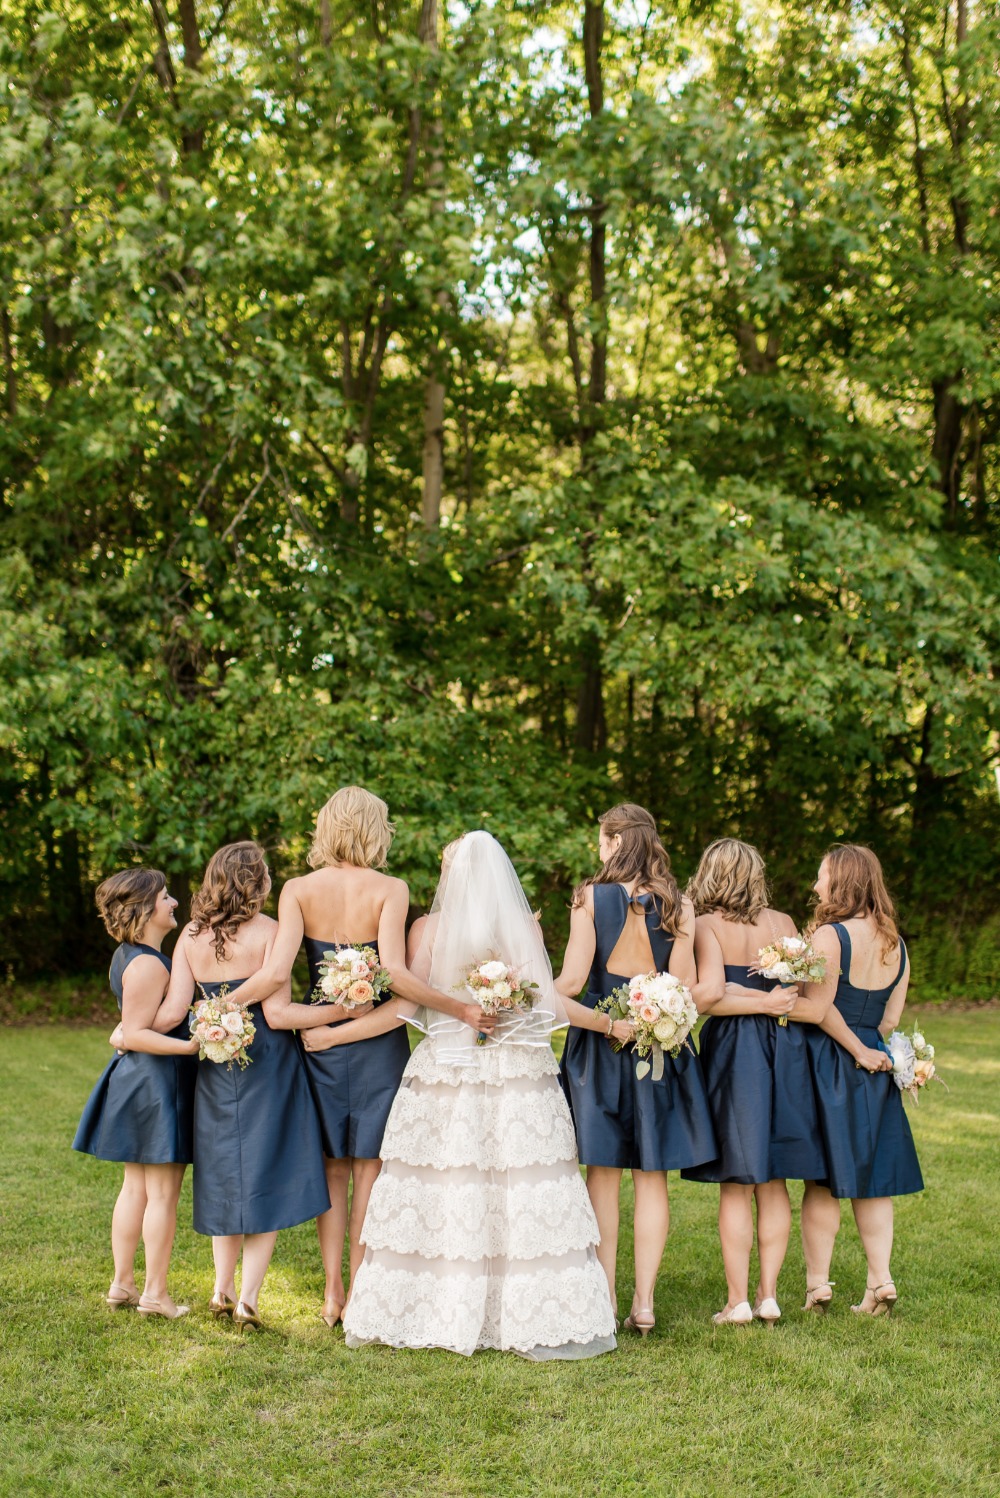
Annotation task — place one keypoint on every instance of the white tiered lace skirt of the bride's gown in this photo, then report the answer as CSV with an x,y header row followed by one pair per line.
x,y
480,1232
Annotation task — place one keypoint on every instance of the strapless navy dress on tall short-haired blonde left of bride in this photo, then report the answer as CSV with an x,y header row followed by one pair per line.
x,y
354,1085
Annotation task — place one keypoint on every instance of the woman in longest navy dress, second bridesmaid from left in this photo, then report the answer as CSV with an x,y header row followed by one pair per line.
x,y
257,1133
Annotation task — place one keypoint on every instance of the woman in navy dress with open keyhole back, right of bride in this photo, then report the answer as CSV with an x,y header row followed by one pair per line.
x,y
626,921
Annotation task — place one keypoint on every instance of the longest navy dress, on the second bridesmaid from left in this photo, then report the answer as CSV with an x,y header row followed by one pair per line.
x,y
257,1138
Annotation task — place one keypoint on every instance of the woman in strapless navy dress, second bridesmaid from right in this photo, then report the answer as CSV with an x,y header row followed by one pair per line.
x,y
757,1075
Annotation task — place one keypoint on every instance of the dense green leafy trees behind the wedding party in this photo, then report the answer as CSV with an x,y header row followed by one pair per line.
x,y
514,408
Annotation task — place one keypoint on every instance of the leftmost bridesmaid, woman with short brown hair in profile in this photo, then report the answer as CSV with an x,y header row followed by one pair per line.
x,y
141,1111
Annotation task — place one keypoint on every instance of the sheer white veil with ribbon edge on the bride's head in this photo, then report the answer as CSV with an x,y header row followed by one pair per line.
x,y
481,913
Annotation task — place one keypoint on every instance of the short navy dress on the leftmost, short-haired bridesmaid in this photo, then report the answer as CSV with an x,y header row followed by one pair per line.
x,y
141,1111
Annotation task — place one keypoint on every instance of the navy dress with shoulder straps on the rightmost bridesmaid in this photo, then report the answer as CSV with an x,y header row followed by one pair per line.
x,y
866,1132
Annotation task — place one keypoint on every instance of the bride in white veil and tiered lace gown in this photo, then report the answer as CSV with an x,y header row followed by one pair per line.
x,y
480,1232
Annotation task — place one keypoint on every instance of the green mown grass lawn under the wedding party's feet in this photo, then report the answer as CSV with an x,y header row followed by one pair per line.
x,y
100,1403
